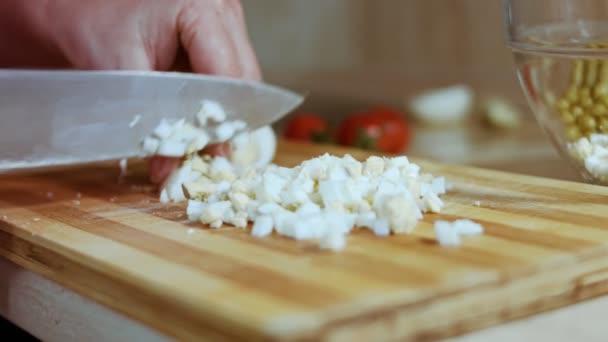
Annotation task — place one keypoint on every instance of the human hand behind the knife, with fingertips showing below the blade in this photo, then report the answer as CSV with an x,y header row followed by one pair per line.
x,y
203,36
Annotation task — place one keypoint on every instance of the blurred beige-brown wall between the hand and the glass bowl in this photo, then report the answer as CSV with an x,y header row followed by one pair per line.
x,y
380,50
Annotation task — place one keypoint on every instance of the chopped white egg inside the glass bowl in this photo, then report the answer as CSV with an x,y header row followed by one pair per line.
x,y
592,154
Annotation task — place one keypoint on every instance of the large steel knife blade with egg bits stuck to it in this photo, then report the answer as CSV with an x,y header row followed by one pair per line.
x,y
55,118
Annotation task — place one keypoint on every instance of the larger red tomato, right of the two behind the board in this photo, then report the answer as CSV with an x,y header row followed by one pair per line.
x,y
380,128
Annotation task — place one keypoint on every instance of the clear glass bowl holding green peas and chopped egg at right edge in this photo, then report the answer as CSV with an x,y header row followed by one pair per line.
x,y
561,54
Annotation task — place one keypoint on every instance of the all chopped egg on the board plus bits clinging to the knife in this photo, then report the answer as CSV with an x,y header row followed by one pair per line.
x,y
322,199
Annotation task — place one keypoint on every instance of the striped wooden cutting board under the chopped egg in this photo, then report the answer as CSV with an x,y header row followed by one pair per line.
x,y
546,245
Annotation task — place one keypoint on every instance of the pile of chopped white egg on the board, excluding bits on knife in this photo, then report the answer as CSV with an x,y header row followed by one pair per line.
x,y
322,199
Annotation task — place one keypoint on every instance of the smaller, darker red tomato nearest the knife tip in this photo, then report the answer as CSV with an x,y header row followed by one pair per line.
x,y
307,127
